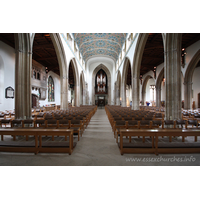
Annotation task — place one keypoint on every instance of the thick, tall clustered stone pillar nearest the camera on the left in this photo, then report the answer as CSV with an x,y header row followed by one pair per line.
x,y
23,67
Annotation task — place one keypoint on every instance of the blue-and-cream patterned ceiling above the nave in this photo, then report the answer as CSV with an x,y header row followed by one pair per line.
x,y
98,44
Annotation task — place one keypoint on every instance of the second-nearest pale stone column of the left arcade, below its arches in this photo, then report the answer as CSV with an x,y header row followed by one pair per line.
x,y
64,93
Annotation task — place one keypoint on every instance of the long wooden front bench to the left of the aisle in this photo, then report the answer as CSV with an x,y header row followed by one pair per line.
x,y
26,146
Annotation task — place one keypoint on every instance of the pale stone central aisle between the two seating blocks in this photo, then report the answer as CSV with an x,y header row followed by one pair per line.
x,y
98,146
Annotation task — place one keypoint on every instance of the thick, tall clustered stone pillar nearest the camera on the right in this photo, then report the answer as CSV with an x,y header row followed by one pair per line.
x,y
173,77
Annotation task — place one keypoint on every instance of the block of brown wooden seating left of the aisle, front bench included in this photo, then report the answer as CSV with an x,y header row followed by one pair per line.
x,y
33,135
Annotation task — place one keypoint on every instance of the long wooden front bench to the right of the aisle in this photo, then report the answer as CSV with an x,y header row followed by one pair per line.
x,y
155,146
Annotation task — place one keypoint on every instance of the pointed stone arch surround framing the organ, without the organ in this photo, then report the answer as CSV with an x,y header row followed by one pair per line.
x,y
101,66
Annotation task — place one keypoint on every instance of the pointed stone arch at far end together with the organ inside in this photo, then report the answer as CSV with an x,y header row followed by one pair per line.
x,y
104,79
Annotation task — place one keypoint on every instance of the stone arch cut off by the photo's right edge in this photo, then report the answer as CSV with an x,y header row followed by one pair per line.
x,y
188,80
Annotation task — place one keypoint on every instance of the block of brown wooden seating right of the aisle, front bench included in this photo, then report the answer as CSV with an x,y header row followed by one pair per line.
x,y
146,131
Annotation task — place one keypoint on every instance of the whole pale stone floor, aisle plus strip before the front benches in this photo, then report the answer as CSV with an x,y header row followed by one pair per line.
x,y
97,147
